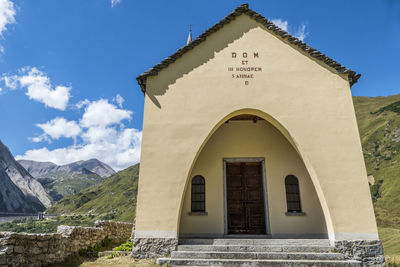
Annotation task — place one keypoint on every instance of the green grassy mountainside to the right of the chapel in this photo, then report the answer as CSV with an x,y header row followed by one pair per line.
x,y
379,125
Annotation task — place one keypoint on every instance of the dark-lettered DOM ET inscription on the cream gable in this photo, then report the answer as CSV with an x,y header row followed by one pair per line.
x,y
245,66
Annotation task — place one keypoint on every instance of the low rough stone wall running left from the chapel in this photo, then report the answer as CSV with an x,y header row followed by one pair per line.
x,y
22,249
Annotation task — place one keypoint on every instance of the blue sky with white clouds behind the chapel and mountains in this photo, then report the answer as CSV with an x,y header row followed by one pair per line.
x,y
68,67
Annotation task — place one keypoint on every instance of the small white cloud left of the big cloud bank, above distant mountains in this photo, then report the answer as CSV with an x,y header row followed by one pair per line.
x,y
60,127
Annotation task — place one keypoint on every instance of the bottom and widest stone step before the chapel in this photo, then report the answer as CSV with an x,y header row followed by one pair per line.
x,y
258,263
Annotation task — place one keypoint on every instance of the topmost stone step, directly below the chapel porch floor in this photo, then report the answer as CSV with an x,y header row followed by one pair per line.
x,y
253,241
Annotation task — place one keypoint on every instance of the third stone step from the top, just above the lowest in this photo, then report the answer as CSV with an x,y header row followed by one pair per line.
x,y
256,255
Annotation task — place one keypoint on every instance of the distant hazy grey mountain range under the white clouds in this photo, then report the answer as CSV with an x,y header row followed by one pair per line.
x,y
66,180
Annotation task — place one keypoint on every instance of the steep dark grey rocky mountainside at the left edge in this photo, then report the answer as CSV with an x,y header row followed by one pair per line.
x,y
19,191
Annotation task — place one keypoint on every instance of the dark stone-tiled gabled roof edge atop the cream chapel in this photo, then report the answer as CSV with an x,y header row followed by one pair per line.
x,y
244,9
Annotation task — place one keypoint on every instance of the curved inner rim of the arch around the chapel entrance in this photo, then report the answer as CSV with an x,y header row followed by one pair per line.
x,y
289,138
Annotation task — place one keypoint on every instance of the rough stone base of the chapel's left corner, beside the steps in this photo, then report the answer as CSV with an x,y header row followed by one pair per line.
x,y
153,247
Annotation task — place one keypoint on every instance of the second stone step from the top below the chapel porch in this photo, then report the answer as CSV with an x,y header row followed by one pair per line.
x,y
252,248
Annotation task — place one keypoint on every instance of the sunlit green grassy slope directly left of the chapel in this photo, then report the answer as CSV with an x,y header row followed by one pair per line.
x,y
116,196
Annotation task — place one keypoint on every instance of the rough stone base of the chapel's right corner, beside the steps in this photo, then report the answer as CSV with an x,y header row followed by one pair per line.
x,y
370,252
